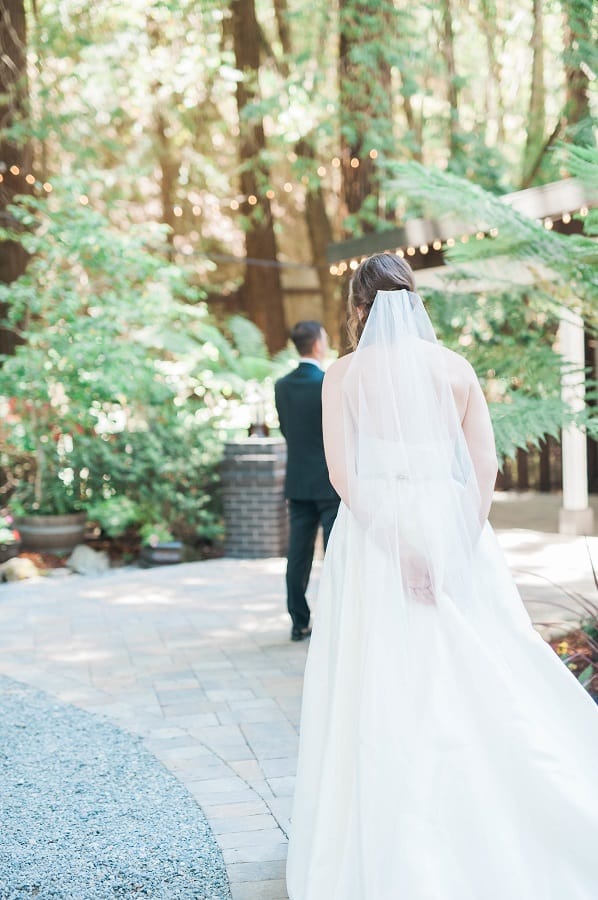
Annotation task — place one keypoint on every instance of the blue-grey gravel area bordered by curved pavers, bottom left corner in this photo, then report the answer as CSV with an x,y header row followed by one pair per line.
x,y
86,813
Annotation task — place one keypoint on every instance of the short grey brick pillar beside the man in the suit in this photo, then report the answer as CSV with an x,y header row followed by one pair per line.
x,y
255,514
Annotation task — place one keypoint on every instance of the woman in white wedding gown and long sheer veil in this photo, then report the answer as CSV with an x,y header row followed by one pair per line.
x,y
446,752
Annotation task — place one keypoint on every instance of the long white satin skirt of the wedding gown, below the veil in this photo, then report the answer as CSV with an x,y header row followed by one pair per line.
x,y
446,753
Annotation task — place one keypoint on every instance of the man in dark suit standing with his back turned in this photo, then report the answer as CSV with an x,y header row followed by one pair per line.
x,y
311,498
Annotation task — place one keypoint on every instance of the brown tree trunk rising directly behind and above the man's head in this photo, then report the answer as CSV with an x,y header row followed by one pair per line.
x,y
262,290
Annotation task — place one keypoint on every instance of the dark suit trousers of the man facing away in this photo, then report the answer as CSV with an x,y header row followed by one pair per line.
x,y
304,518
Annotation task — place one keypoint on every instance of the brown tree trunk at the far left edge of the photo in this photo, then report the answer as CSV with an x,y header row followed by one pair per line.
x,y
15,155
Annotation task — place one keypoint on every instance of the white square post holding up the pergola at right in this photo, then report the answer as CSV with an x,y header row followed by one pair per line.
x,y
575,516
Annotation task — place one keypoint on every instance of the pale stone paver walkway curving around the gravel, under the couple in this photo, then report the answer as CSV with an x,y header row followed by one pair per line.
x,y
196,659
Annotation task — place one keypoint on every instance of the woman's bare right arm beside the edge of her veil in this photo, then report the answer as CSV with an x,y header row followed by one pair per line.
x,y
479,436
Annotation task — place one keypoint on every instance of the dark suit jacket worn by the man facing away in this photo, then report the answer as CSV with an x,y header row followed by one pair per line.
x,y
299,404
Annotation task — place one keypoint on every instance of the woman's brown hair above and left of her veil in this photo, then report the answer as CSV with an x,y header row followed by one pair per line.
x,y
381,272
